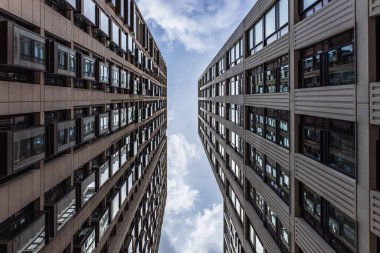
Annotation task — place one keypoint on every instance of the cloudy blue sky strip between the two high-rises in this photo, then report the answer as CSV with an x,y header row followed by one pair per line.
x,y
189,34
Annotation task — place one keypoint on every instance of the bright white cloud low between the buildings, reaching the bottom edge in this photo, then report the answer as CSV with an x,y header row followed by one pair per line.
x,y
188,230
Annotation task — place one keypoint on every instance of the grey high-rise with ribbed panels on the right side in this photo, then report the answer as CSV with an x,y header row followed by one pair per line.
x,y
289,118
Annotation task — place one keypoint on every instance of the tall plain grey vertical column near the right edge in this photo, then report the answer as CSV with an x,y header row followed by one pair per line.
x,y
366,134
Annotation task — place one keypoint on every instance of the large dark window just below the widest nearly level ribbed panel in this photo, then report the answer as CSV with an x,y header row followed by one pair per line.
x,y
331,142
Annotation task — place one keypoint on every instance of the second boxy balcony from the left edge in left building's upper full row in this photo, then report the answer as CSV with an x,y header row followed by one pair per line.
x,y
61,60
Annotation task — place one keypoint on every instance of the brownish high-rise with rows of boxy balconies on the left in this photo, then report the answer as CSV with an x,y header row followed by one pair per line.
x,y
83,122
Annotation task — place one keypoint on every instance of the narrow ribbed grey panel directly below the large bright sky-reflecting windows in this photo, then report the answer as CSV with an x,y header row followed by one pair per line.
x,y
274,50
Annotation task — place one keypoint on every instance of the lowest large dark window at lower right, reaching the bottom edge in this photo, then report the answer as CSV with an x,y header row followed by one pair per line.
x,y
333,225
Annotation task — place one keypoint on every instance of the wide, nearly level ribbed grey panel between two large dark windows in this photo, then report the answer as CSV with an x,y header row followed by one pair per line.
x,y
335,102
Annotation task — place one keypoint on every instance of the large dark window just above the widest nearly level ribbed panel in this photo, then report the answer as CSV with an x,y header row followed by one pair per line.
x,y
330,62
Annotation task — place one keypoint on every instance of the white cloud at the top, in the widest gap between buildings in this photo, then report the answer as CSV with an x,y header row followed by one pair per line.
x,y
194,23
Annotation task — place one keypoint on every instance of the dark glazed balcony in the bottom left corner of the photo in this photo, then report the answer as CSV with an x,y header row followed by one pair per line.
x,y
25,232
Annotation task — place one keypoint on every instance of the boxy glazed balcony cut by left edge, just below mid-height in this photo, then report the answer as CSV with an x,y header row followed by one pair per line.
x,y
22,148
